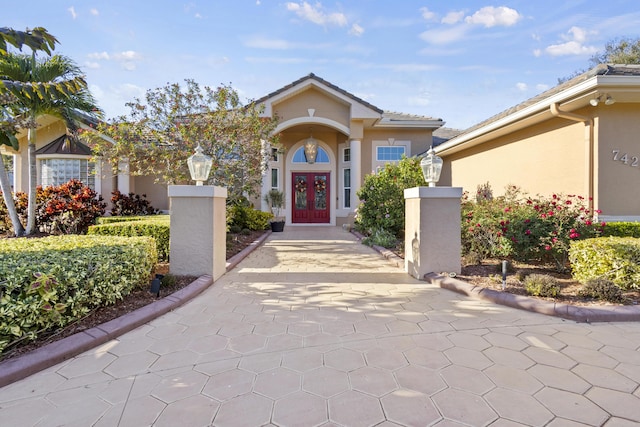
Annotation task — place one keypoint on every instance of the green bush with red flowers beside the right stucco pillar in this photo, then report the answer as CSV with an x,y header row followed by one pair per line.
x,y
526,228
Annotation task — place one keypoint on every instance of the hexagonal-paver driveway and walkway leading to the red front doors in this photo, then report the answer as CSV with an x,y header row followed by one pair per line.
x,y
315,329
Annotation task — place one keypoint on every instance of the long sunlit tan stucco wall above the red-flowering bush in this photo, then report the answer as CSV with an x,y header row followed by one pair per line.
x,y
543,159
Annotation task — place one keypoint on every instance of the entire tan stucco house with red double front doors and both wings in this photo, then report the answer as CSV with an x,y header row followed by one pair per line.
x,y
579,137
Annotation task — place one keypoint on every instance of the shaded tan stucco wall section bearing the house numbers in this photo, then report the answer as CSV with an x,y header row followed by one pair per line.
x,y
617,189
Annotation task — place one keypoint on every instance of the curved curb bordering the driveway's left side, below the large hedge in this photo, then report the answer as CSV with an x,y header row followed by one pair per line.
x,y
20,367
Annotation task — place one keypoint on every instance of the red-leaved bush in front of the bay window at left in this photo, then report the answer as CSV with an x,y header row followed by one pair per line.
x,y
64,209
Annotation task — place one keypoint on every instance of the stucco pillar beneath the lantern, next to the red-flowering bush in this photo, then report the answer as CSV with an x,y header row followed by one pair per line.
x,y
432,230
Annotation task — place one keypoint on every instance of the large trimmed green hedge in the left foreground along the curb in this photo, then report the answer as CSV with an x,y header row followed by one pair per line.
x,y
49,282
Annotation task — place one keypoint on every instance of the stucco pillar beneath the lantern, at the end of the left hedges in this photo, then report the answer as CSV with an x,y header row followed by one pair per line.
x,y
198,240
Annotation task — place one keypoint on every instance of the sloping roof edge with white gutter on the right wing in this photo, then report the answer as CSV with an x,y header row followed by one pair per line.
x,y
576,91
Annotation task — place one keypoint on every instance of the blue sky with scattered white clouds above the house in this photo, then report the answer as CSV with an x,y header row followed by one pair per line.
x,y
461,61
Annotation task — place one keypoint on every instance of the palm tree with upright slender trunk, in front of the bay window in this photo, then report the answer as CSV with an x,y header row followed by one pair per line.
x,y
53,86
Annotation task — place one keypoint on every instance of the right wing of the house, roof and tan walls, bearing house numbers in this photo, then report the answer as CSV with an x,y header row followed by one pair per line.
x,y
579,138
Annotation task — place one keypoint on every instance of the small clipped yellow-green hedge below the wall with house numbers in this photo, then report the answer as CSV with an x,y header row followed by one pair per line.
x,y
613,258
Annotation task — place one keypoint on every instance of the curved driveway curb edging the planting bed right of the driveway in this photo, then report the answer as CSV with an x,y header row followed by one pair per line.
x,y
565,311
